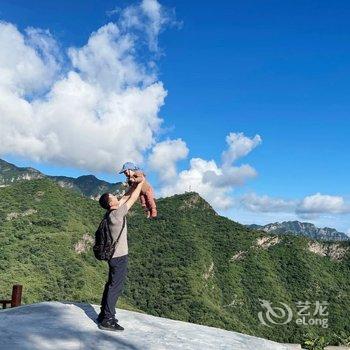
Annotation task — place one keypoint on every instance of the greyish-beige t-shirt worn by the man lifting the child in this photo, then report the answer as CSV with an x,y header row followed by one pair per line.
x,y
115,222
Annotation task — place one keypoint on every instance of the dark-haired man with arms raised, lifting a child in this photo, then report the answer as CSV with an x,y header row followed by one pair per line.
x,y
118,263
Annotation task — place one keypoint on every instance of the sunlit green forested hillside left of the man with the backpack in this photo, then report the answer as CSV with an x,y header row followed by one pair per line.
x,y
40,225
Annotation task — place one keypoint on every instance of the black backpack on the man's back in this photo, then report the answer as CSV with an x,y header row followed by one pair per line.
x,y
104,246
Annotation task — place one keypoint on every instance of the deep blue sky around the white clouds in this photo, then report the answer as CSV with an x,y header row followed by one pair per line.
x,y
272,68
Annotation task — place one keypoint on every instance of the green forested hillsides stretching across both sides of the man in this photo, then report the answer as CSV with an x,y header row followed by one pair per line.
x,y
191,264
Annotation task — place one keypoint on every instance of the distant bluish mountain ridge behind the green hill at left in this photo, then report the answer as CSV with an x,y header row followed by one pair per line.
x,y
88,185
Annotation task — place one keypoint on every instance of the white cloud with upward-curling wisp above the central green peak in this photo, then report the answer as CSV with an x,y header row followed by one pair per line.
x,y
210,180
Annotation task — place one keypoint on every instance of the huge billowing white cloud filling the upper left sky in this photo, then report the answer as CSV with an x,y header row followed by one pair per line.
x,y
94,113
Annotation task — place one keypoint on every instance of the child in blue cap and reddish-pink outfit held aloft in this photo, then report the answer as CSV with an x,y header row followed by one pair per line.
x,y
134,175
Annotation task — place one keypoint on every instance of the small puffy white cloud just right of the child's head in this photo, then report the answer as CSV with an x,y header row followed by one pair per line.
x,y
164,157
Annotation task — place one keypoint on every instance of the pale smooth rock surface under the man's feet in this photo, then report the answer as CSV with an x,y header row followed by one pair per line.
x,y
66,325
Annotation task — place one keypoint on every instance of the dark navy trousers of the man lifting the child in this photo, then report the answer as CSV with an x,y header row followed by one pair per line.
x,y
118,271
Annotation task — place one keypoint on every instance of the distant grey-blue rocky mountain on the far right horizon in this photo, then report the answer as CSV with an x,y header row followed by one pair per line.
x,y
302,229
